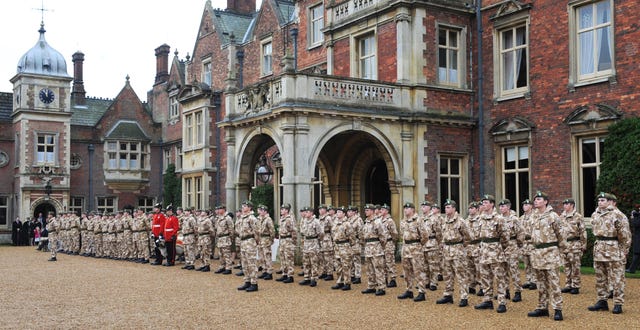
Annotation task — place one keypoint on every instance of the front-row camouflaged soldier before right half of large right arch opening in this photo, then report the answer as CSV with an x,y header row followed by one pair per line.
x,y
375,238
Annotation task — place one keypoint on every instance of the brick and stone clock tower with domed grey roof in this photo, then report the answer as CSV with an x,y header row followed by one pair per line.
x,y
42,121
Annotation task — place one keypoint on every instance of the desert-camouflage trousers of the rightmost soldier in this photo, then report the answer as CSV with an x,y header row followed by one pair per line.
x,y
610,273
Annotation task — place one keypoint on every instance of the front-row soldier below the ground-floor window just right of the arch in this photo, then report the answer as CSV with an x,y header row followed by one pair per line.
x,y
455,236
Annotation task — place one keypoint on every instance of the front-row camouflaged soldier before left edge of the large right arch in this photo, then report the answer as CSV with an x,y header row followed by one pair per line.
x,y
312,231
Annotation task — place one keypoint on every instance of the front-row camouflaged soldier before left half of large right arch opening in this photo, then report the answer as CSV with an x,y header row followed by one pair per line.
x,y
343,238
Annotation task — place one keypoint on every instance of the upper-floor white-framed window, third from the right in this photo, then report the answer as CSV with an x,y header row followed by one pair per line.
x,y
460,49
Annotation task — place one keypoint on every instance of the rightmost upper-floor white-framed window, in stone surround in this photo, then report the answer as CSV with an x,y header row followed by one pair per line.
x,y
575,77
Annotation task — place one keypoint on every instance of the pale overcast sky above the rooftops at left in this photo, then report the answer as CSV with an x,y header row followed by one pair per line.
x,y
117,37
